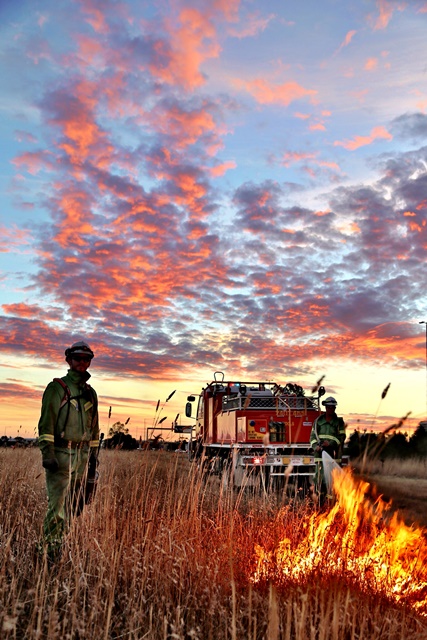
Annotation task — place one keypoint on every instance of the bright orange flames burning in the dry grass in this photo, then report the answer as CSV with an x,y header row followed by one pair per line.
x,y
357,540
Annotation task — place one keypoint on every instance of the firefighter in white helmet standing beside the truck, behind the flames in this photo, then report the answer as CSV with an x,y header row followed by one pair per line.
x,y
327,434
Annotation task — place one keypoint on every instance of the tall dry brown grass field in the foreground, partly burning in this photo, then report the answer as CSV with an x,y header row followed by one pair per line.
x,y
163,553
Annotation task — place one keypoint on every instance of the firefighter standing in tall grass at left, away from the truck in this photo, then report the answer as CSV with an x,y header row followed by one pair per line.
x,y
69,443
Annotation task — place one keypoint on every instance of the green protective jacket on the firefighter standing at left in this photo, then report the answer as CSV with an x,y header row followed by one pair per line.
x,y
69,415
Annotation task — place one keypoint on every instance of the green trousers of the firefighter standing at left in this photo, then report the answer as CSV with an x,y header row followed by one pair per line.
x,y
65,492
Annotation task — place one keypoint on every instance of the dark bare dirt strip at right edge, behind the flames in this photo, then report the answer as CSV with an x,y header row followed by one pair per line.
x,y
407,495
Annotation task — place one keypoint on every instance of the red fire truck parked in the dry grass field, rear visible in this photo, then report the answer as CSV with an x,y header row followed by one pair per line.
x,y
254,429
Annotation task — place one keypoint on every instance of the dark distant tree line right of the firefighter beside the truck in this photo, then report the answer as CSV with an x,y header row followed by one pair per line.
x,y
388,445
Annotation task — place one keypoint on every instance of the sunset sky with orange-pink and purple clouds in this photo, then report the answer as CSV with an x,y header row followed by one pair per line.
x,y
214,185
